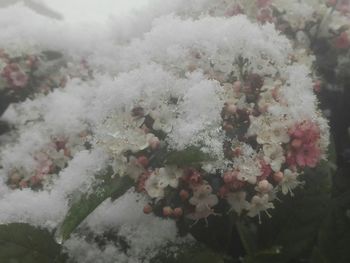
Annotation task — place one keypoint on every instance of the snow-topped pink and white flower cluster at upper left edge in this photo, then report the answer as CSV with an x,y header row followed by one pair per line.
x,y
25,74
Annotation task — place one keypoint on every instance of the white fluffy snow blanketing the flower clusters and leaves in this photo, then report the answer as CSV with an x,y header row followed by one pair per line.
x,y
139,60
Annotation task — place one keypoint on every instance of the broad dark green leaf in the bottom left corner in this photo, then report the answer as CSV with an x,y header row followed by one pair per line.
x,y
23,243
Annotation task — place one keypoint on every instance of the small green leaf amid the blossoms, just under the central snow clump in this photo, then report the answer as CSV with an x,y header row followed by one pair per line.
x,y
189,156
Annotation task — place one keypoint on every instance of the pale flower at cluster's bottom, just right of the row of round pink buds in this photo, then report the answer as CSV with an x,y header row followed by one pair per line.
x,y
203,199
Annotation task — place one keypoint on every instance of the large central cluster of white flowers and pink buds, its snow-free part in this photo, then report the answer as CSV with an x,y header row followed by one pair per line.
x,y
267,141
